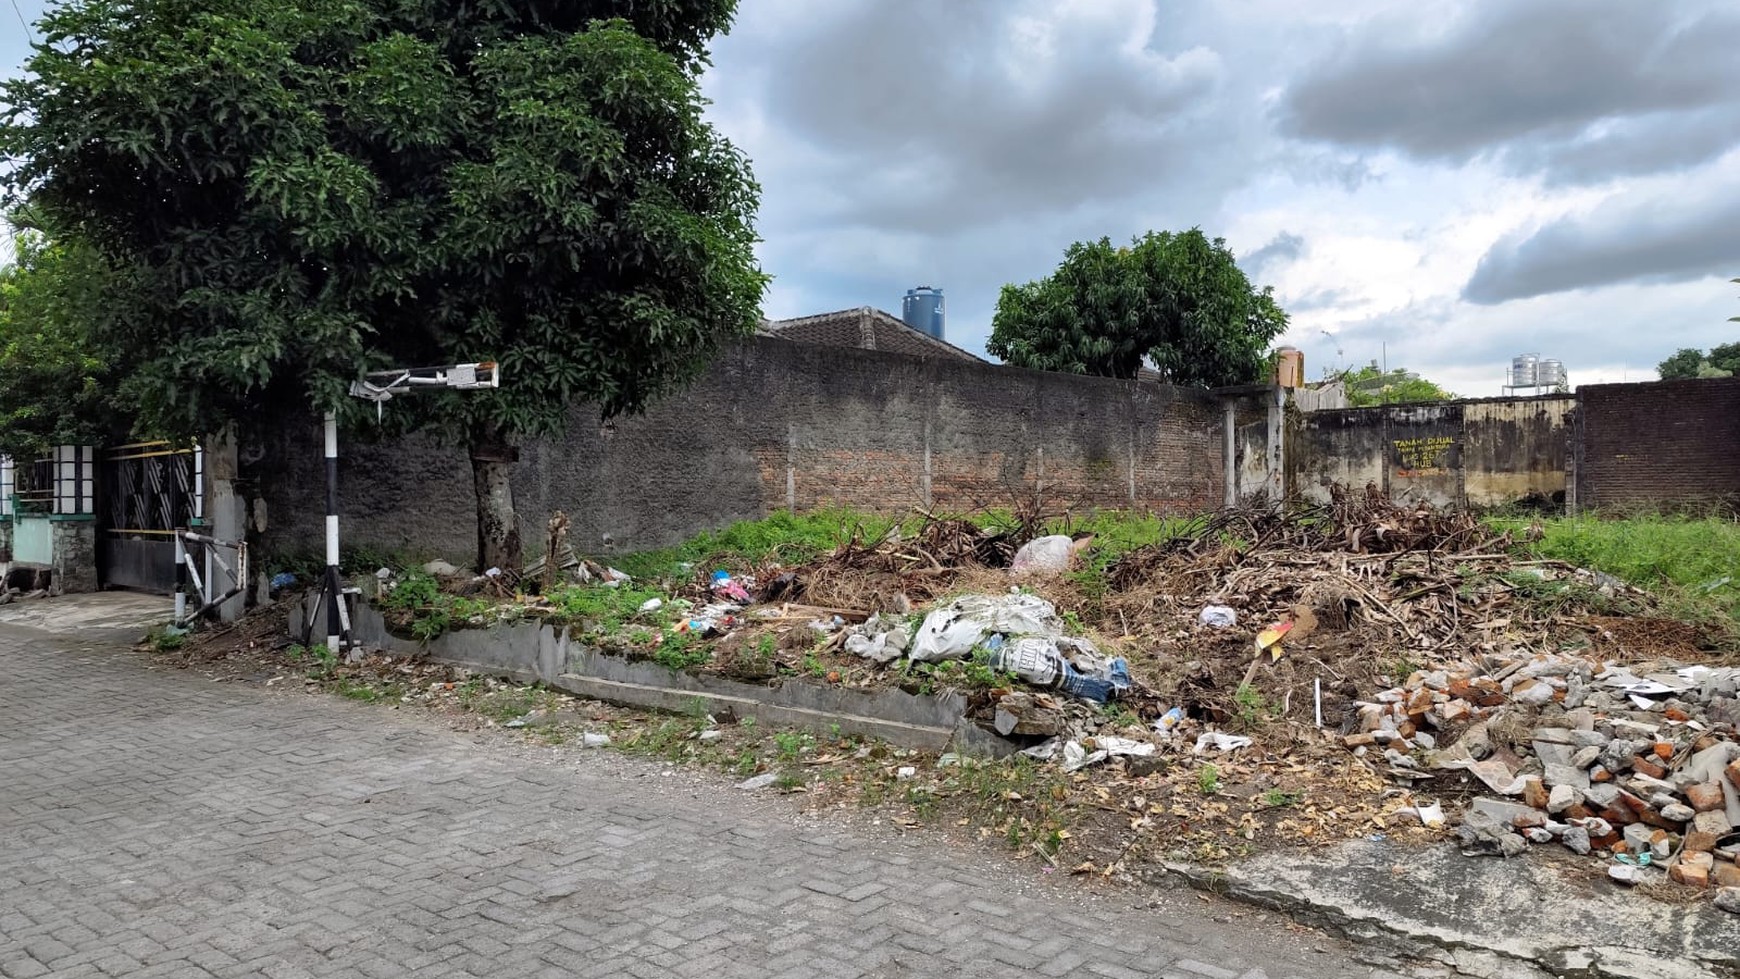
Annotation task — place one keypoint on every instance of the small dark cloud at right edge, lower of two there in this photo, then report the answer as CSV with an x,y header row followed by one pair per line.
x,y
1628,241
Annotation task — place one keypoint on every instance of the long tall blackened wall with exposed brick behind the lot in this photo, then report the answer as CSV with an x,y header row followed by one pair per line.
x,y
770,423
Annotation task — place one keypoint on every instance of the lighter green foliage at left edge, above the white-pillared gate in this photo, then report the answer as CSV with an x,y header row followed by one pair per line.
x,y
60,382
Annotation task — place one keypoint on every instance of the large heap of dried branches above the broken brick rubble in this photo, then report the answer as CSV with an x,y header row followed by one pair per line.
x,y
1410,578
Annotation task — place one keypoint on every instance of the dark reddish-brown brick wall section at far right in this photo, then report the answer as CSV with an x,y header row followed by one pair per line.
x,y
1659,446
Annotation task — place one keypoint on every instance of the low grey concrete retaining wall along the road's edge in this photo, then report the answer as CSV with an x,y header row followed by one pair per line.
x,y
549,655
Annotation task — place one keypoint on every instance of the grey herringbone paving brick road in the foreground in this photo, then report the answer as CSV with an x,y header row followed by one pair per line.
x,y
154,823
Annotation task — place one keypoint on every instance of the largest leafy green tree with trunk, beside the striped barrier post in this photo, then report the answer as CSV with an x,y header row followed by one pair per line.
x,y
297,192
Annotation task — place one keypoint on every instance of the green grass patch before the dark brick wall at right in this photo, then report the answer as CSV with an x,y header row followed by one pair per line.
x,y
1692,563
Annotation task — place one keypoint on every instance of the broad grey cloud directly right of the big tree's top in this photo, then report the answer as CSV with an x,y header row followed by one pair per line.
x,y
951,116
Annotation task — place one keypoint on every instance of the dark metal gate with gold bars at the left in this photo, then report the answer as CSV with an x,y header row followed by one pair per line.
x,y
145,493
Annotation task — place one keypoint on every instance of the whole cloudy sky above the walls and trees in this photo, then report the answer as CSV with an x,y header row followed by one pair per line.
x,y
1445,183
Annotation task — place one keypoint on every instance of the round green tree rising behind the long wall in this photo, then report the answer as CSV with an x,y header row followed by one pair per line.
x,y
1175,300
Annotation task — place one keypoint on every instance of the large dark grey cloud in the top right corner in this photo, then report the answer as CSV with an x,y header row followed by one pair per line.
x,y
1586,90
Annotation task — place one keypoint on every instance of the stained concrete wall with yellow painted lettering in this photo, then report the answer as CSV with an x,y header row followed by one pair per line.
x,y
1478,453
